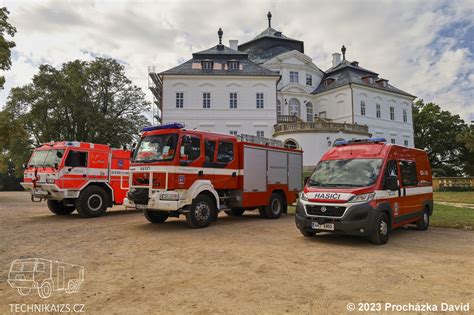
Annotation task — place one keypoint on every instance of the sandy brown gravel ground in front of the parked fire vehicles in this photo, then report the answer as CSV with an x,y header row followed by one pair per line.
x,y
238,265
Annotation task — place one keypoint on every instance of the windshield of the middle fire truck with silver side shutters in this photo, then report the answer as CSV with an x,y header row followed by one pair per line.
x,y
156,148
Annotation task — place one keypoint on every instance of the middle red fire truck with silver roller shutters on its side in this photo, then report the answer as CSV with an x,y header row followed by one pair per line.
x,y
176,171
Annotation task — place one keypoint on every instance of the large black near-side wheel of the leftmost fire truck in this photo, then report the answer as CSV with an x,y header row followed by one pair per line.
x,y
92,202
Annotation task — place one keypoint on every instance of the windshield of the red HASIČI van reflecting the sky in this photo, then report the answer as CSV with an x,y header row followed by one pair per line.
x,y
345,173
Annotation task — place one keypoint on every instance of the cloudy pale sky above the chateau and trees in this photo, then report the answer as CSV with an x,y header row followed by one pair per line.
x,y
425,48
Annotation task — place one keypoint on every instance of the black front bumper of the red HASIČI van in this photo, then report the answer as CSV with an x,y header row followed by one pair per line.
x,y
358,219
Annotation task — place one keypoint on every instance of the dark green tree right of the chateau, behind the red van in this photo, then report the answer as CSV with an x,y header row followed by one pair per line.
x,y
436,131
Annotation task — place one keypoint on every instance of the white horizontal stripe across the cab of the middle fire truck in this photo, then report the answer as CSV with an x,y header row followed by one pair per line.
x,y
171,169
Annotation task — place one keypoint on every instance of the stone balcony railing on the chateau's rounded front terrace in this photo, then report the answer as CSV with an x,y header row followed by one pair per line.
x,y
319,125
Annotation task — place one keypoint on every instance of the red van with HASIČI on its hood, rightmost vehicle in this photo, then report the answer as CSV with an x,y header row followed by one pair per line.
x,y
367,187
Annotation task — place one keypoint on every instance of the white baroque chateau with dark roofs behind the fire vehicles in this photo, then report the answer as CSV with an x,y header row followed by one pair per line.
x,y
268,87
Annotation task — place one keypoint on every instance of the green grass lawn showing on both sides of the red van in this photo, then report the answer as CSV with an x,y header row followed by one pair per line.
x,y
443,216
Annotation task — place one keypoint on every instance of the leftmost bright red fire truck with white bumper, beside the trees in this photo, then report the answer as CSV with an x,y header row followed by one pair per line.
x,y
74,175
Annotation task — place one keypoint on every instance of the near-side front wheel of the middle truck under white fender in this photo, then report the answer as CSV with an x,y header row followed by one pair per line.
x,y
201,213
